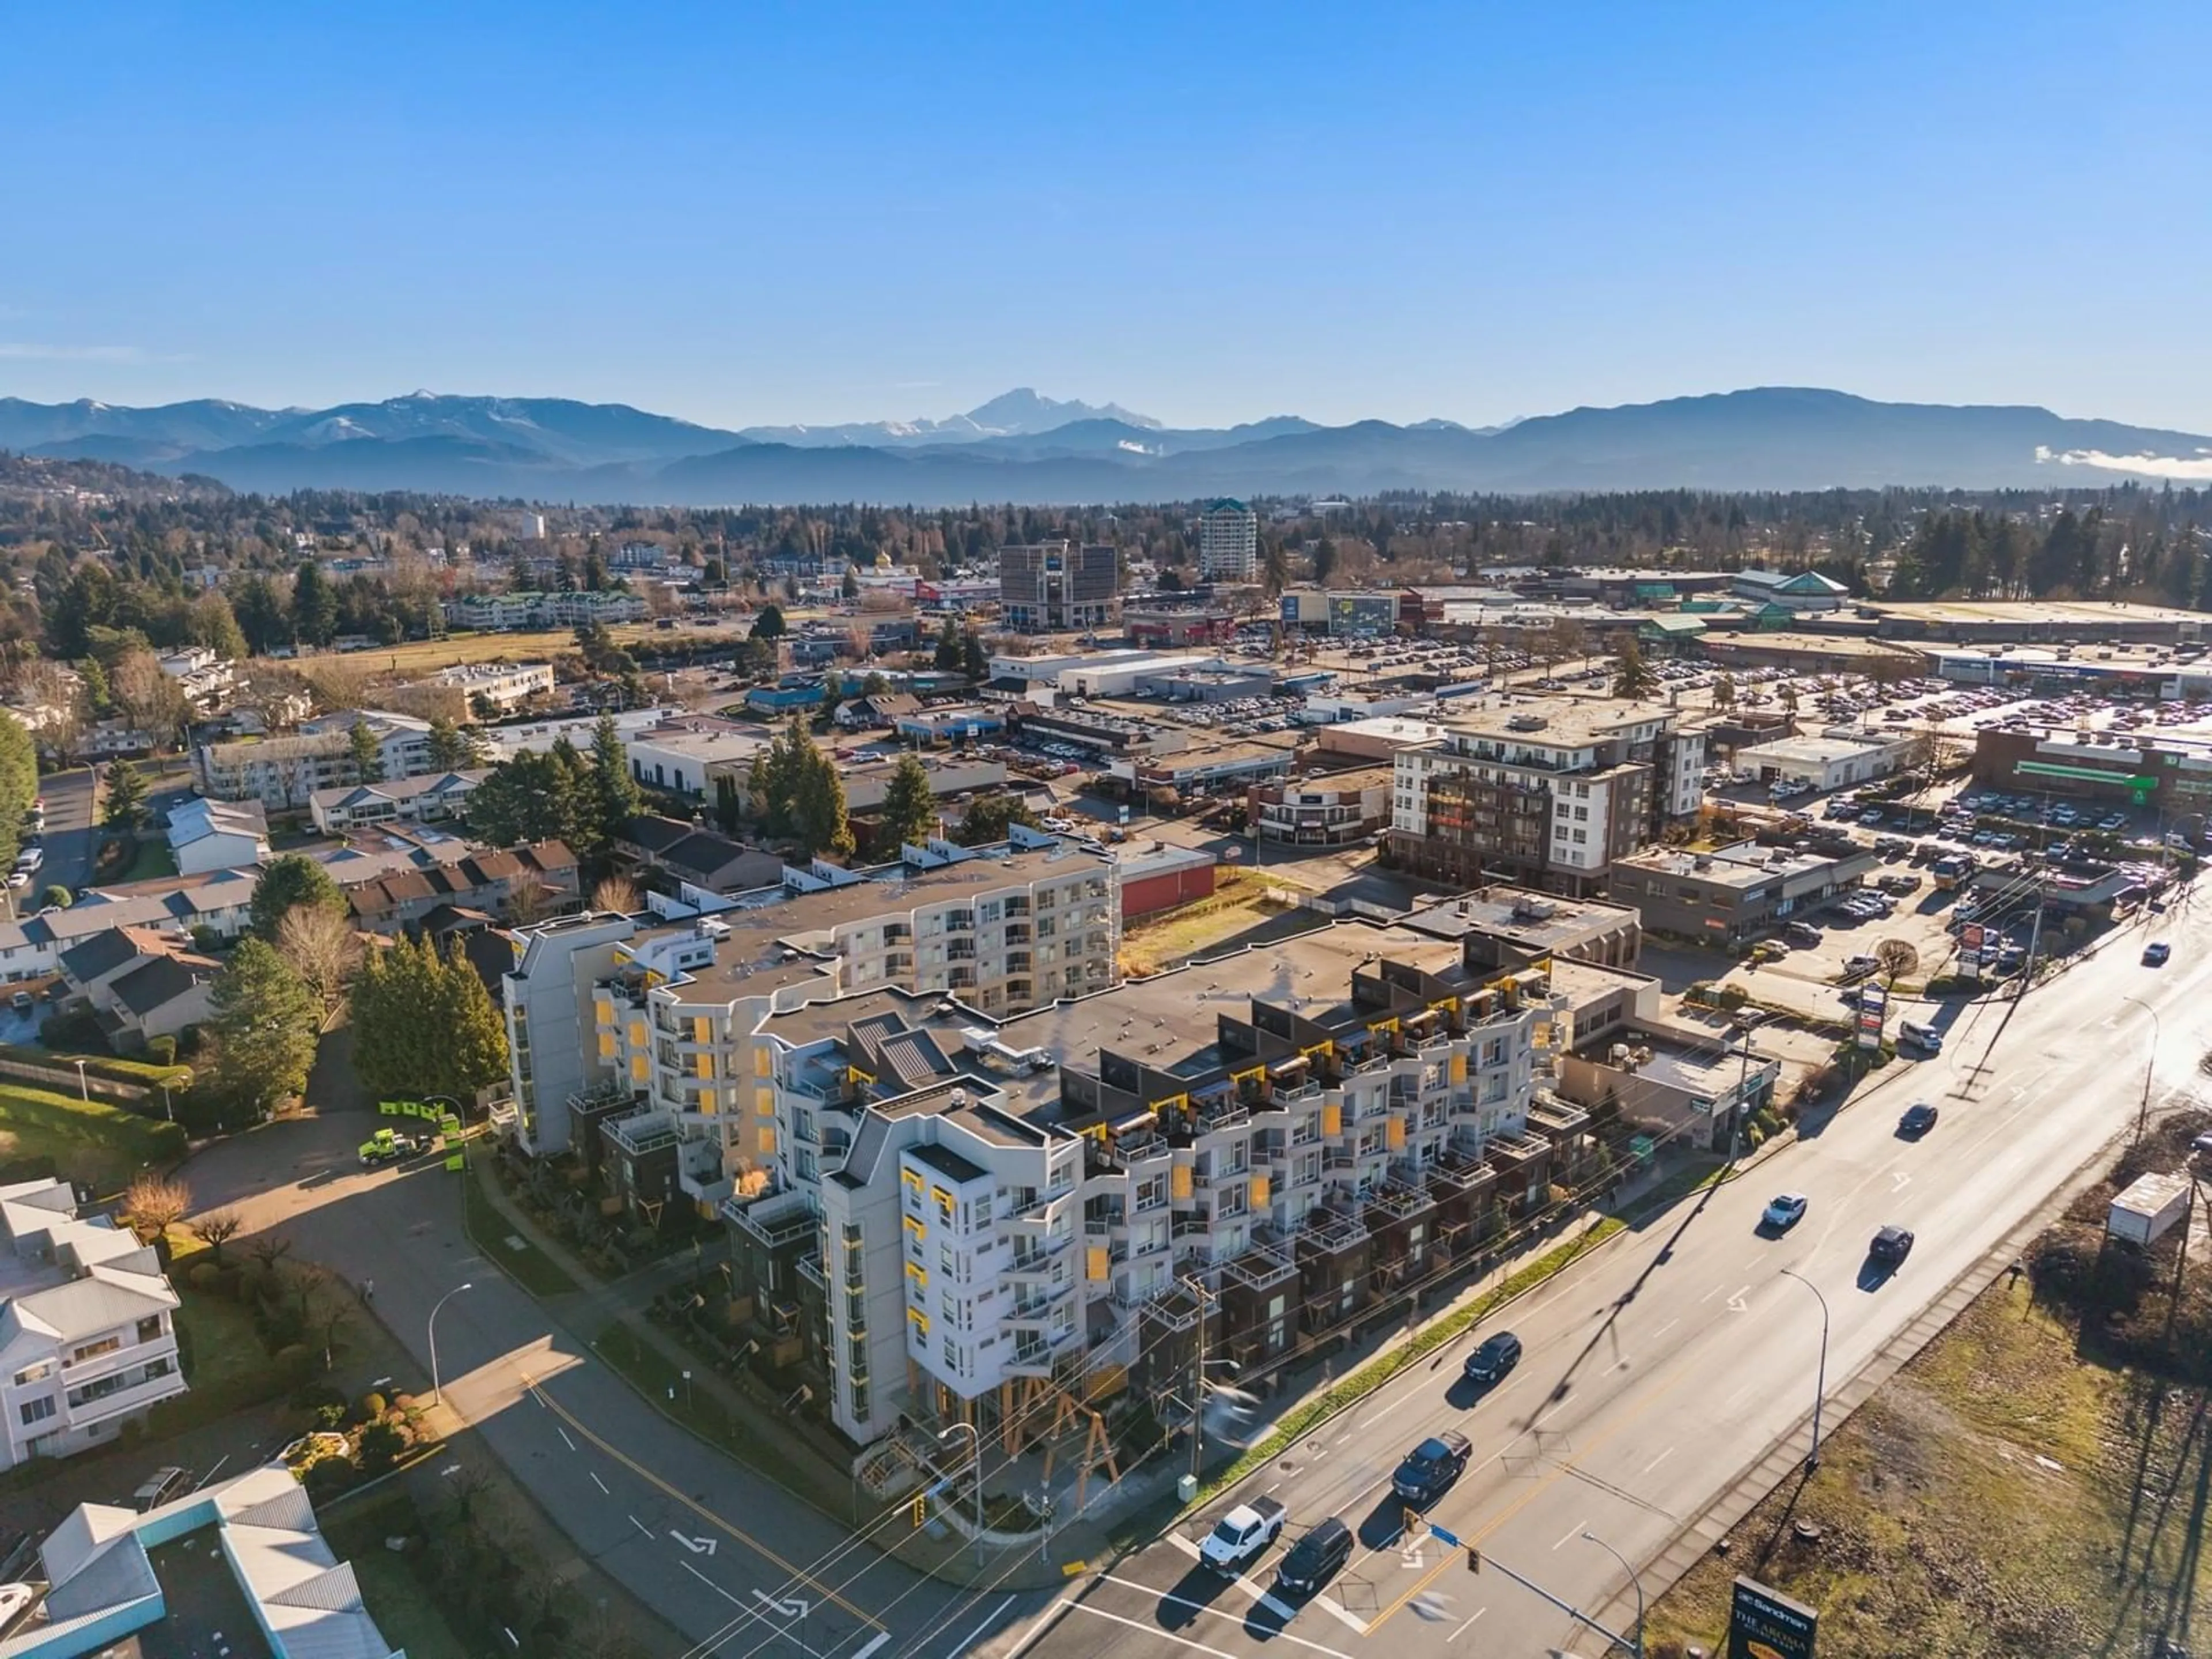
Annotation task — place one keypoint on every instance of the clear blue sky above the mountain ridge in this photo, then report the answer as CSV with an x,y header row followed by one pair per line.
x,y
1204,211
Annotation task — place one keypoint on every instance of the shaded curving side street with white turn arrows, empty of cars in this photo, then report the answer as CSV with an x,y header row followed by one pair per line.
x,y
731,1561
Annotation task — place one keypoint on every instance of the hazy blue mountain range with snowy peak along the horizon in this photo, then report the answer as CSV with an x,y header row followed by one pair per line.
x,y
1034,450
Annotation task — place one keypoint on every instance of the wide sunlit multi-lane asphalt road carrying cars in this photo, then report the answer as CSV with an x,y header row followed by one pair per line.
x,y
1669,1364
